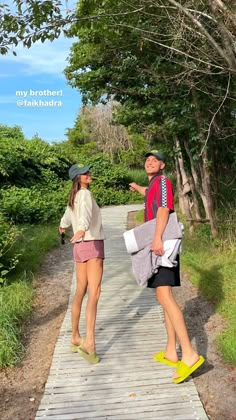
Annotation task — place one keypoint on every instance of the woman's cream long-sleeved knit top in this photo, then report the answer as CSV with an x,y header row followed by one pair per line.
x,y
86,216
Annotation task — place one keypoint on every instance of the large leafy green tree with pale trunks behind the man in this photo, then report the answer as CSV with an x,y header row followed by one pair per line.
x,y
162,95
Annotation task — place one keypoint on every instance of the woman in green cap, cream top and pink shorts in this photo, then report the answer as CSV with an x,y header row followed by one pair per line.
x,y
84,215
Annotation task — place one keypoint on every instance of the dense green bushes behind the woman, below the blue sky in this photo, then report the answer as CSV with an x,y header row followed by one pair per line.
x,y
33,173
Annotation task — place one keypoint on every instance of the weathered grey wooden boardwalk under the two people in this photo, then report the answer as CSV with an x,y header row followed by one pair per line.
x,y
127,384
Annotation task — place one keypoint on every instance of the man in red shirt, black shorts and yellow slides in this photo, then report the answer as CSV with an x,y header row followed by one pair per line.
x,y
159,203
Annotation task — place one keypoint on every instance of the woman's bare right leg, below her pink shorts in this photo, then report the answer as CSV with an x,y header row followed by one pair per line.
x,y
94,273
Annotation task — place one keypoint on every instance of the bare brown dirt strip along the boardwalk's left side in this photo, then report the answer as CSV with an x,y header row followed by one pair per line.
x,y
21,388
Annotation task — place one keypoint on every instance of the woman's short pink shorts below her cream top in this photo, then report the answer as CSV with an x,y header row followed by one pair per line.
x,y
87,250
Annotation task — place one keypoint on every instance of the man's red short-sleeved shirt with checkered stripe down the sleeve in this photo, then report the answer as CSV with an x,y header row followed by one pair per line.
x,y
158,194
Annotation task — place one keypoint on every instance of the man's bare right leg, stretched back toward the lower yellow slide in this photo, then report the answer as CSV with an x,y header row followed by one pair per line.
x,y
175,316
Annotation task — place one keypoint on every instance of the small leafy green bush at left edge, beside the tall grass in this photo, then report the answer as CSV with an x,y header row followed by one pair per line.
x,y
8,236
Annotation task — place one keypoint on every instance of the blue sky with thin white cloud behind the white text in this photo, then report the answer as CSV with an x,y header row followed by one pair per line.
x,y
34,93
